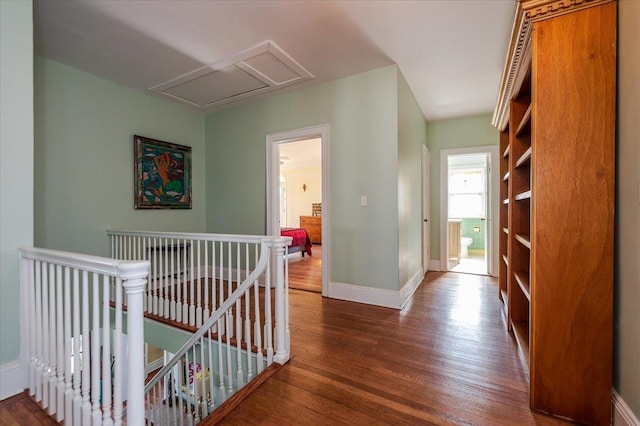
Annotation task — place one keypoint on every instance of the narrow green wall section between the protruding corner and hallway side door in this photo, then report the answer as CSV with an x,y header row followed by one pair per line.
x,y
412,133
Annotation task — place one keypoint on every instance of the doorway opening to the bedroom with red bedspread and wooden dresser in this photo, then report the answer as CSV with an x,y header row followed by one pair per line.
x,y
298,196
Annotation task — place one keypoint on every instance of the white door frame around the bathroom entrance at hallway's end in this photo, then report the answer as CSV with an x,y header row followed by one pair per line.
x,y
493,180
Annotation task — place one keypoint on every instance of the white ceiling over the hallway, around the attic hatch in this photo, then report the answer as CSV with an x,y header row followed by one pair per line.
x,y
450,51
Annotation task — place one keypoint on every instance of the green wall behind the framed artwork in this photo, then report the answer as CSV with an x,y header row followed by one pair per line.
x,y
84,131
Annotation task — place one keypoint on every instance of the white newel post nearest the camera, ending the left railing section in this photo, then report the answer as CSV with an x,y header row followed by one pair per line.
x,y
134,283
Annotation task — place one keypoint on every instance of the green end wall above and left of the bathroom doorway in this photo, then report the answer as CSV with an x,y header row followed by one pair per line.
x,y
449,134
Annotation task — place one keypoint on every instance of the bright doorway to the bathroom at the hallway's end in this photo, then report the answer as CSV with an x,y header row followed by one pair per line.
x,y
468,199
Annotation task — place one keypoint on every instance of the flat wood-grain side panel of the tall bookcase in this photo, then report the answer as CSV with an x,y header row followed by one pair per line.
x,y
572,213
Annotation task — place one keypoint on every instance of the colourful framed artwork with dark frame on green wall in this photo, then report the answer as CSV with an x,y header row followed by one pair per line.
x,y
162,175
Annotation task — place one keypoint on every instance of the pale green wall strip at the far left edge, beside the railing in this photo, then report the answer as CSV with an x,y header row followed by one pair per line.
x,y
16,174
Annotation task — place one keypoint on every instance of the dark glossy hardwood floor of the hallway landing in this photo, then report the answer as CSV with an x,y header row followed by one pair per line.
x,y
446,358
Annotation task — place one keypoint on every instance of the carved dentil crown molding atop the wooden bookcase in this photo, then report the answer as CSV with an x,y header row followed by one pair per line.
x,y
519,52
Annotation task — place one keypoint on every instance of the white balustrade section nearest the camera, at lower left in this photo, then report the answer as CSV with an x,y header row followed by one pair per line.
x,y
76,338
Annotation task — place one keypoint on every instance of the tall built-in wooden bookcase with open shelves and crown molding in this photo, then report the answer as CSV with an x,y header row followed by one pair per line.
x,y
556,113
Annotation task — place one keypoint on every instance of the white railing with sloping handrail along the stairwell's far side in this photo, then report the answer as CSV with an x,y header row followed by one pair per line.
x,y
248,329
